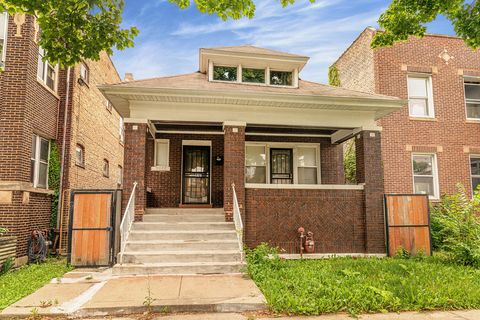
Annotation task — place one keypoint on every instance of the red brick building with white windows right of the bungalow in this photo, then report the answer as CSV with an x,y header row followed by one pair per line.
x,y
433,143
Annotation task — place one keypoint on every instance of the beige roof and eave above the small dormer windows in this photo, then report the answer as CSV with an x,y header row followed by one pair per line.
x,y
251,60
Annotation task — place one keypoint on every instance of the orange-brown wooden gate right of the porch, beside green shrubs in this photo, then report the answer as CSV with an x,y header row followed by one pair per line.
x,y
407,217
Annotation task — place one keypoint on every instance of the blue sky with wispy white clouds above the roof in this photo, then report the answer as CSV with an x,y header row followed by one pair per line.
x,y
169,37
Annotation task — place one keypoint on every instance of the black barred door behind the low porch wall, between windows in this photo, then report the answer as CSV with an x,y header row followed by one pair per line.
x,y
281,166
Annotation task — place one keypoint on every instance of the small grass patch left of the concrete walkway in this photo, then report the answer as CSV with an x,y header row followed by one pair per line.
x,y
19,283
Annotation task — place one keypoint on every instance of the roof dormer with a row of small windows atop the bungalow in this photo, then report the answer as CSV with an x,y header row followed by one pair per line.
x,y
252,66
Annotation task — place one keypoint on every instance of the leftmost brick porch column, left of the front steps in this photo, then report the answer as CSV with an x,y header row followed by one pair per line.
x,y
134,166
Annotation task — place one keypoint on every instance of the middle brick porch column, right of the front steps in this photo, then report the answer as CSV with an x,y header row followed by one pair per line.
x,y
233,166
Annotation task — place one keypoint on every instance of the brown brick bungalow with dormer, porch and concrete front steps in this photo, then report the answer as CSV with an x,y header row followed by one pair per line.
x,y
247,119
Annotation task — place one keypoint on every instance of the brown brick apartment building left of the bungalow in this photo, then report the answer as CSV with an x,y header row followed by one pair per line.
x,y
34,108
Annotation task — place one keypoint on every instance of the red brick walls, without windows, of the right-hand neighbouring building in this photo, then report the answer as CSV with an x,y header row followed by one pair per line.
x,y
449,134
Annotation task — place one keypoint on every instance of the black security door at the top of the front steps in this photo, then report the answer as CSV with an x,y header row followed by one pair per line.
x,y
196,175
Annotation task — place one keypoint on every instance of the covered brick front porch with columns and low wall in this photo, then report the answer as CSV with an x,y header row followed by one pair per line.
x,y
285,177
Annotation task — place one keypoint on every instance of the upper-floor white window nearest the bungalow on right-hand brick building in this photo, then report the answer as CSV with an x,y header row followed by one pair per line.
x,y
420,99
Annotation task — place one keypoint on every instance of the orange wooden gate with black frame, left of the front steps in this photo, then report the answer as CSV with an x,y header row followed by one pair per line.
x,y
92,221
